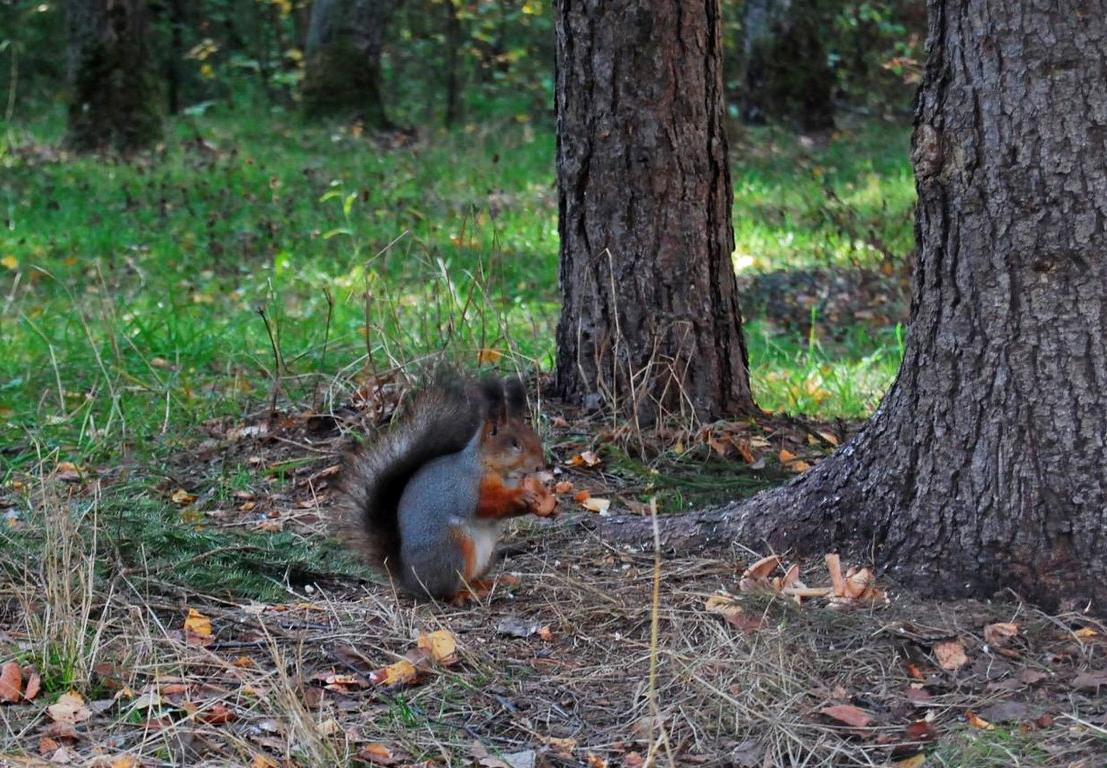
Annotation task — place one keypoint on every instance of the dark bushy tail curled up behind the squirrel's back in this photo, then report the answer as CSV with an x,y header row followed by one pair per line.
x,y
441,421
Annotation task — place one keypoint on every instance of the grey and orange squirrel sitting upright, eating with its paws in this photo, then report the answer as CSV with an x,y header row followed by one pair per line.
x,y
428,497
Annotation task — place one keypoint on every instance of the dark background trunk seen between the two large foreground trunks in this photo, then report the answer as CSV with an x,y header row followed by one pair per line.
x,y
788,76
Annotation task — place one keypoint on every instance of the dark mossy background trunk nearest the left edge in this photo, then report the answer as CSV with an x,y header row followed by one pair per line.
x,y
115,89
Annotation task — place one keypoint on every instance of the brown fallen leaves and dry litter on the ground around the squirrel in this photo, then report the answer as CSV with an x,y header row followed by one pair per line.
x,y
747,660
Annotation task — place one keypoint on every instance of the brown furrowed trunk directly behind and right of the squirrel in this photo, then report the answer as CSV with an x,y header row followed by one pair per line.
x,y
650,320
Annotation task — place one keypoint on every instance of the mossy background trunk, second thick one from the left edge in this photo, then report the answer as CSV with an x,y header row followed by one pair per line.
x,y
343,60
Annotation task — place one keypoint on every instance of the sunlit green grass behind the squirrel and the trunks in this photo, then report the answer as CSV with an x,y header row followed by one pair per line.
x,y
139,302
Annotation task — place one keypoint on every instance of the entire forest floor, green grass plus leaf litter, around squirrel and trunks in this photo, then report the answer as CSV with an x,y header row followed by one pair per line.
x,y
187,345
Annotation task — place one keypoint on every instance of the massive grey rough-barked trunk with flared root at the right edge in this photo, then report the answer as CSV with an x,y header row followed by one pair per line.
x,y
986,466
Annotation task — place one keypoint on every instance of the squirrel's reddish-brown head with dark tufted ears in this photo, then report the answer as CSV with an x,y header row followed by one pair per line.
x,y
509,441
